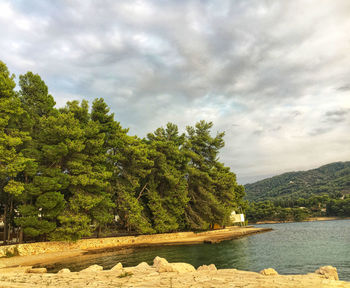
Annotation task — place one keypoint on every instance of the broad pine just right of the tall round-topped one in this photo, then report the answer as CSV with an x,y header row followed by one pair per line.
x,y
88,176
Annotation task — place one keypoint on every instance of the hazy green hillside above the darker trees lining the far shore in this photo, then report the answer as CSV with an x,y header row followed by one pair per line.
x,y
330,178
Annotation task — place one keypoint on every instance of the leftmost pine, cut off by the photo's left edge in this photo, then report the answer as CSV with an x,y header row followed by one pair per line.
x,y
12,161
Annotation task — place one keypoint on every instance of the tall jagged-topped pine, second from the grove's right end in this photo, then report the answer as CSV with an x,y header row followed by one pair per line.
x,y
204,209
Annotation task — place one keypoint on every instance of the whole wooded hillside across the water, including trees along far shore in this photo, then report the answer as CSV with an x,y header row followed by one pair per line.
x,y
295,196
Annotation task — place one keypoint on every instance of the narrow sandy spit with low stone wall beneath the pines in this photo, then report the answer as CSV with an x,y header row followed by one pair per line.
x,y
41,253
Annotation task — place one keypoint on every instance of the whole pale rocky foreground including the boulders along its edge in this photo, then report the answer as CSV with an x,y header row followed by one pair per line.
x,y
164,274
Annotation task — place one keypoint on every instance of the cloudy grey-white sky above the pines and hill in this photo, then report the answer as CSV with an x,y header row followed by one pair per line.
x,y
274,75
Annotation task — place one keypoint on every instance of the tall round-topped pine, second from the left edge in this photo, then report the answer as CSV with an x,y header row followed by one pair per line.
x,y
41,201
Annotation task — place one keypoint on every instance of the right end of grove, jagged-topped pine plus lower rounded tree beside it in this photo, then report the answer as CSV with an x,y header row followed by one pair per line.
x,y
212,188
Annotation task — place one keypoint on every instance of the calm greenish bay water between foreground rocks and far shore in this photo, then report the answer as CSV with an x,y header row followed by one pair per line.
x,y
292,248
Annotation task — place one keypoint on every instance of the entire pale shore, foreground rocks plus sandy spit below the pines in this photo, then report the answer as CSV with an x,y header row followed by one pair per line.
x,y
18,271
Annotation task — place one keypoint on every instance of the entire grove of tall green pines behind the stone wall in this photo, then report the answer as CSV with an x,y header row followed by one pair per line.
x,y
70,172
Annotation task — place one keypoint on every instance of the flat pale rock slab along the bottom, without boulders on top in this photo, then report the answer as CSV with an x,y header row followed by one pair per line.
x,y
220,278
